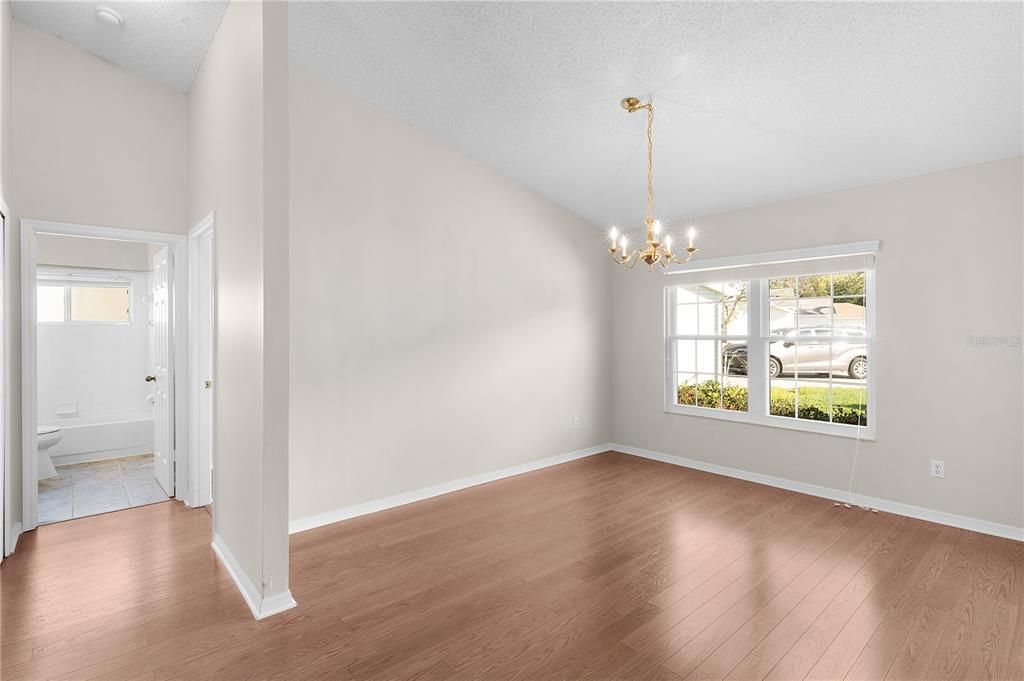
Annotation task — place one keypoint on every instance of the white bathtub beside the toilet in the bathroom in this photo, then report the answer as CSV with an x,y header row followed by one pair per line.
x,y
95,439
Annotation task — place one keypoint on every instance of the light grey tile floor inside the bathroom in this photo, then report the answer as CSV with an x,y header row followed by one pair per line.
x,y
100,487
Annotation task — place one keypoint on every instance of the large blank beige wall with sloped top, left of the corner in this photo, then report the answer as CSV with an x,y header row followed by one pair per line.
x,y
446,322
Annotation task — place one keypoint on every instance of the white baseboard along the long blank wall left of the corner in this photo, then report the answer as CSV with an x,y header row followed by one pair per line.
x,y
348,513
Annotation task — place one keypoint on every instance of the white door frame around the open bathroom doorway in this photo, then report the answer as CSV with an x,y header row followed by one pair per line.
x,y
180,348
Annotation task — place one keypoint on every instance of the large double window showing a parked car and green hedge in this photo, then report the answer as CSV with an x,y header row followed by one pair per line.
x,y
783,350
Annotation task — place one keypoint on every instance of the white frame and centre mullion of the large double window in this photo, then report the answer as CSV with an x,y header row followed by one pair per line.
x,y
758,339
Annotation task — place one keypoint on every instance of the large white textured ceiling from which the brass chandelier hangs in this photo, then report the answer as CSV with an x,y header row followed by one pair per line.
x,y
755,102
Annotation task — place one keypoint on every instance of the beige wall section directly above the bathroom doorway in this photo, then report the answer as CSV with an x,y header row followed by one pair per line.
x,y
96,144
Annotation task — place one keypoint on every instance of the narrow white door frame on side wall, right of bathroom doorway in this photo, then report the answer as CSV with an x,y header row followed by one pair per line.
x,y
200,493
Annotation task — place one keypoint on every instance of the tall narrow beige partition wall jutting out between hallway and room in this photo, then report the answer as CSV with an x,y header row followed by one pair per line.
x,y
236,169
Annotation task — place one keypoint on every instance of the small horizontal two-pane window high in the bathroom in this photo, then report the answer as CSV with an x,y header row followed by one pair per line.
x,y
91,303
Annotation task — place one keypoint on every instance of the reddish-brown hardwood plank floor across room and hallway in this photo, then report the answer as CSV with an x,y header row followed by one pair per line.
x,y
609,568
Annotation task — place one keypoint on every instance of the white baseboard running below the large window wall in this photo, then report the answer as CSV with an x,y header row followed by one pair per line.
x,y
942,518
